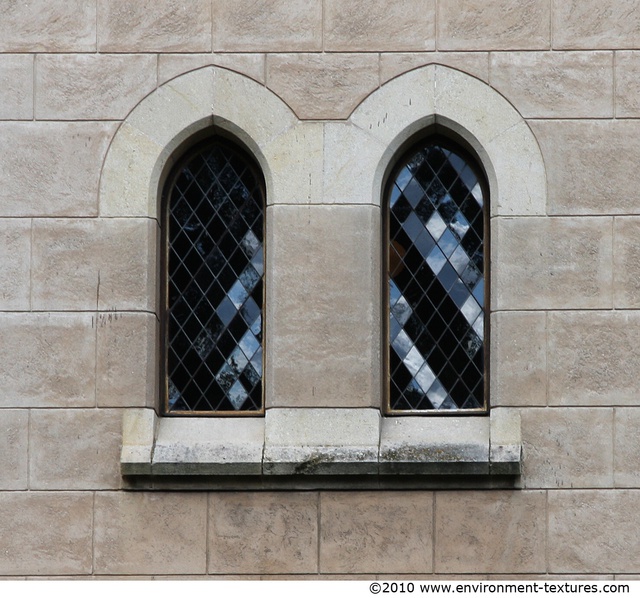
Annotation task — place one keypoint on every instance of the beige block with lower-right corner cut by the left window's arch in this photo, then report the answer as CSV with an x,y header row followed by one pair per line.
x,y
92,86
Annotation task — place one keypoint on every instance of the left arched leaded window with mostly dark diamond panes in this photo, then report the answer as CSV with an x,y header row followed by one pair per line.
x,y
213,223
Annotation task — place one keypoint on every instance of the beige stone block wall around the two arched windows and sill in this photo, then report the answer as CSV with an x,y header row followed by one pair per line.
x,y
78,298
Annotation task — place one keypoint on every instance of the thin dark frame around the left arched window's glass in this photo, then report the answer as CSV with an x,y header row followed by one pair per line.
x,y
193,149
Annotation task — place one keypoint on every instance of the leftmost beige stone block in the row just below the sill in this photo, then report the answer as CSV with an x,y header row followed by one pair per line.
x,y
46,533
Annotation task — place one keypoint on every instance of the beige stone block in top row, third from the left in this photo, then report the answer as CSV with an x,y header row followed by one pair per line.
x,y
271,26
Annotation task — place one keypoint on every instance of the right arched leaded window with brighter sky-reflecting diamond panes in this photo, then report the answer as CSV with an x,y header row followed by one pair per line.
x,y
437,221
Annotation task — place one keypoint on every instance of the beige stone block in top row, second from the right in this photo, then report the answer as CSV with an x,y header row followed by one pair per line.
x,y
502,25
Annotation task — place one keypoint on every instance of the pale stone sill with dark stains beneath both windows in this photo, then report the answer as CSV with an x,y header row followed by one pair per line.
x,y
317,444
